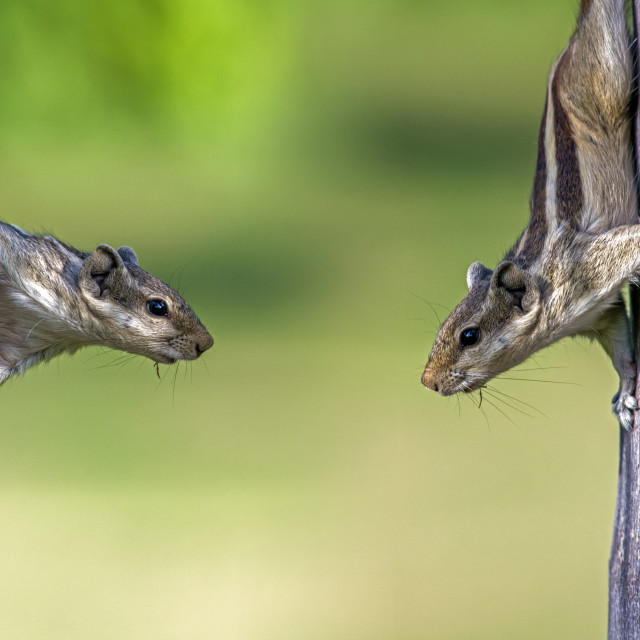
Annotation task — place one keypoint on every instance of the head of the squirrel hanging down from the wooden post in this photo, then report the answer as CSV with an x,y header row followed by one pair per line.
x,y
489,332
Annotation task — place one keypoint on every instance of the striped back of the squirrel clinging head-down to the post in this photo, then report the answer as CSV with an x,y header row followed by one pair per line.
x,y
584,174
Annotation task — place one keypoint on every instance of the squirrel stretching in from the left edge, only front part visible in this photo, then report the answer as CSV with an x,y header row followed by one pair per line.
x,y
56,299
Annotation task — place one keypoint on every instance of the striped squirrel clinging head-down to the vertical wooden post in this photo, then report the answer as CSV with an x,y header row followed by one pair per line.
x,y
564,275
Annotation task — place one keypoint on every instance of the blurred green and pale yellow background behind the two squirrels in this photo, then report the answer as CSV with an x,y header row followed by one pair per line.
x,y
315,178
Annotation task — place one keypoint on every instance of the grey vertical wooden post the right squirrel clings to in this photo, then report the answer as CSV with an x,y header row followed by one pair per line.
x,y
624,564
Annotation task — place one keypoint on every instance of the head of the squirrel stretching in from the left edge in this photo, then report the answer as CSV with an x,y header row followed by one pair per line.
x,y
131,310
